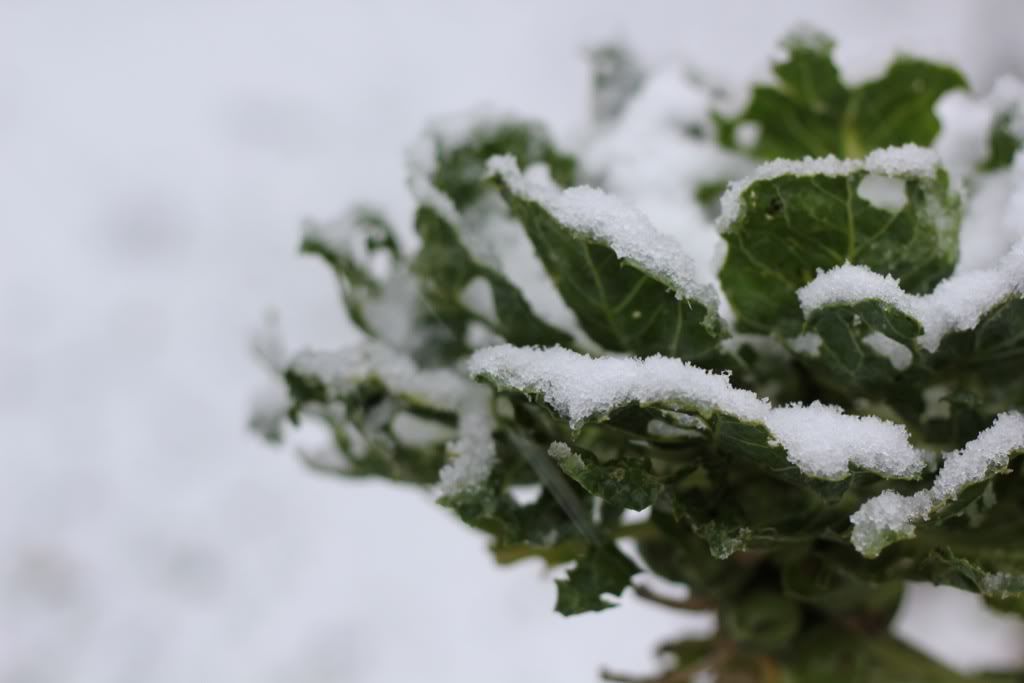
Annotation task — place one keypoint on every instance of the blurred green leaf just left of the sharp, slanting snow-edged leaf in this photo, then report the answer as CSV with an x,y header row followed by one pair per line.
x,y
447,269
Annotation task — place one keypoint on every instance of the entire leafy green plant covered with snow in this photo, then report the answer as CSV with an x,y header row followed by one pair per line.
x,y
766,345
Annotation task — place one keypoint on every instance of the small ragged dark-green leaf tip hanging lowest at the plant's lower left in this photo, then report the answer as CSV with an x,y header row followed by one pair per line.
x,y
604,570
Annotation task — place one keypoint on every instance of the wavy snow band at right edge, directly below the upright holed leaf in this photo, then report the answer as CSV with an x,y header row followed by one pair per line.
x,y
956,305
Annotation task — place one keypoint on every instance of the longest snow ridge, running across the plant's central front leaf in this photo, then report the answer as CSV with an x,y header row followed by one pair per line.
x,y
822,441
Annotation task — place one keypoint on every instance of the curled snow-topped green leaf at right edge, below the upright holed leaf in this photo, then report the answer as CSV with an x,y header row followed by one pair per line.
x,y
966,338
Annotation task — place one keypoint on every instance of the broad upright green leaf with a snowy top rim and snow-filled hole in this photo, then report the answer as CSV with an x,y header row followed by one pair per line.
x,y
789,222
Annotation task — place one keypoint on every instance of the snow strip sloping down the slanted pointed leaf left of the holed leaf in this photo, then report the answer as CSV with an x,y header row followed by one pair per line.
x,y
598,217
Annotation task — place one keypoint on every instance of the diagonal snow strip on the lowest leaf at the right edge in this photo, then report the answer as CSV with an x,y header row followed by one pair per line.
x,y
892,514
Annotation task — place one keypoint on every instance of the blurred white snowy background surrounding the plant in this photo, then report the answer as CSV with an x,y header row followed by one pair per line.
x,y
156,159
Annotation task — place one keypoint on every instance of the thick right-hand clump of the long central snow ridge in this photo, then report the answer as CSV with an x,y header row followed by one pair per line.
x,y
823,441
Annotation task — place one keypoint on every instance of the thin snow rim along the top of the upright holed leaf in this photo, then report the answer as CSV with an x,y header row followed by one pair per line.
x,y
909,161
